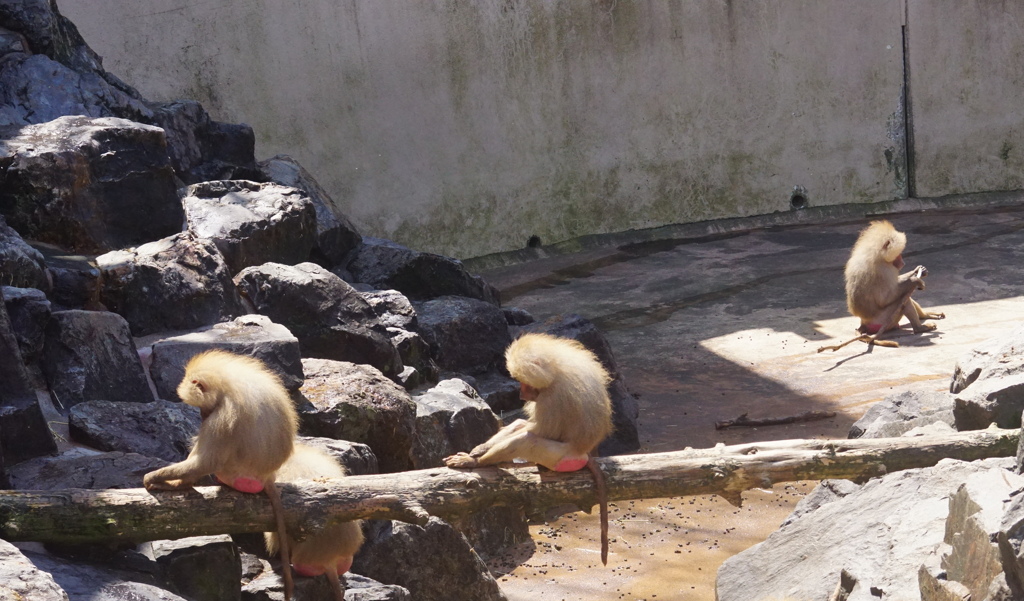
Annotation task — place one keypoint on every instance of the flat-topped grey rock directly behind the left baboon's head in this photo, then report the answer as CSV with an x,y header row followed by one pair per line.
x,y
255,336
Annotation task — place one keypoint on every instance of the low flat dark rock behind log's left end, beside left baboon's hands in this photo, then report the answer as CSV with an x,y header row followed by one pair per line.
x,y
81,468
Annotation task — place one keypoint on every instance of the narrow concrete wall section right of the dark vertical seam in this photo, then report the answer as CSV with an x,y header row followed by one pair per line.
x,y
967,92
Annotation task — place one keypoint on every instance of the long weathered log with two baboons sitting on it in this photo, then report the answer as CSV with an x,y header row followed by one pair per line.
x,y
81,516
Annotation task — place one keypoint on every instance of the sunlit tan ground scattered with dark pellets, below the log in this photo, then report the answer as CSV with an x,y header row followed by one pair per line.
x,y
668,549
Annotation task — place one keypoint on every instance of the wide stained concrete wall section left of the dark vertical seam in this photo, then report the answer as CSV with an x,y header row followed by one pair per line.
x,y
467,127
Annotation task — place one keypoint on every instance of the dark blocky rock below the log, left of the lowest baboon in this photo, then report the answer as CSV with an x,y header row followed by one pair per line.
x,y
200,569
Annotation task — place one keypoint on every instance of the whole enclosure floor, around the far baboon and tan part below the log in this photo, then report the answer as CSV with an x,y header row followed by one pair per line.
x,y
710,328
